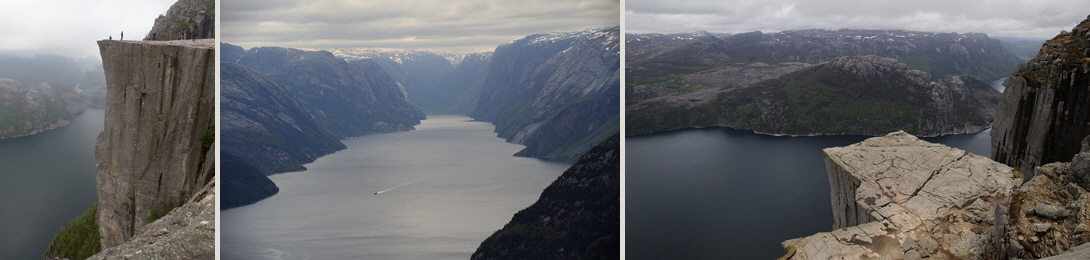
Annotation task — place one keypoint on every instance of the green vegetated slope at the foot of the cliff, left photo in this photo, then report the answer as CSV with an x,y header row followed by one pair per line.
x,y
79,240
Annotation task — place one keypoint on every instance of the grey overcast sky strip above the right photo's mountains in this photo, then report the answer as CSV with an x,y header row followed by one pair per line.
x,y
1036,19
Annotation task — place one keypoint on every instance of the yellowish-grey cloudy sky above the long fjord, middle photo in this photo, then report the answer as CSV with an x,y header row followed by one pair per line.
x,y
438,26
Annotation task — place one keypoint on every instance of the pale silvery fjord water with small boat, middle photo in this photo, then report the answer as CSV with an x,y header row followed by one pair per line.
x,y
445,188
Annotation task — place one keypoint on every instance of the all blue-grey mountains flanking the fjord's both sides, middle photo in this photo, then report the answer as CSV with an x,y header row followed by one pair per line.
x,y
284,108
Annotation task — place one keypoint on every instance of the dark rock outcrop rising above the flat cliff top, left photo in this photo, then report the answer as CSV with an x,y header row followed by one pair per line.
x,y
186,20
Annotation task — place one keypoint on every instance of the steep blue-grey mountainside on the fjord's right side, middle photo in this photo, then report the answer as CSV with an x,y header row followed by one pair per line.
x,y
558,94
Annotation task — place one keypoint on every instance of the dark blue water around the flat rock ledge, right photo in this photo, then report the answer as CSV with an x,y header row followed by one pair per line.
x,y
728,194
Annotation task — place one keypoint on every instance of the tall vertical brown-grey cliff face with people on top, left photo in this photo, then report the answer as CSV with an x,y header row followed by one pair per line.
x,y
160,104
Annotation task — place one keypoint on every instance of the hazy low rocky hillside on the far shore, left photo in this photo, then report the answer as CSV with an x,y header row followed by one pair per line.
x,y
28,110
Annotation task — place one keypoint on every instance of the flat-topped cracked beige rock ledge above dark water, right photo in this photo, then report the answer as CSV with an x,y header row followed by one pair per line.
x,y
926,200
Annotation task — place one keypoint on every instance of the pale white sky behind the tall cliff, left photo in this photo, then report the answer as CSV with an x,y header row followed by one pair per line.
x,y
71,28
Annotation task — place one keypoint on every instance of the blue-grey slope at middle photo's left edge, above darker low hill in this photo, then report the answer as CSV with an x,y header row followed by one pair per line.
x,y
267,126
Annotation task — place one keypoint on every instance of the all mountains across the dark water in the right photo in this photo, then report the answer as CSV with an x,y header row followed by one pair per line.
x,y
815,82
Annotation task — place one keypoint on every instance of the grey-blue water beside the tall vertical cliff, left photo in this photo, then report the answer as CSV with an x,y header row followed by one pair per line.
x,y
46,181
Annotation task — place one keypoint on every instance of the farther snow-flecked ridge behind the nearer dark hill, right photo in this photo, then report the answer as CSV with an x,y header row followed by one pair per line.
x,y
938,54
